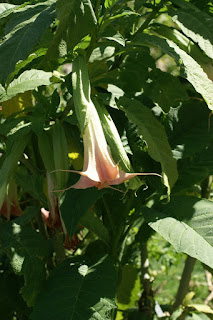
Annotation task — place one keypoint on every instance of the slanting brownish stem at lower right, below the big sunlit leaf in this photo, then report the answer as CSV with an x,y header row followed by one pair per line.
x,y
184,282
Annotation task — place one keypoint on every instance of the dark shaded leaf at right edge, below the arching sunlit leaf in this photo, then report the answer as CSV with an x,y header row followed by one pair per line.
x,y
189,135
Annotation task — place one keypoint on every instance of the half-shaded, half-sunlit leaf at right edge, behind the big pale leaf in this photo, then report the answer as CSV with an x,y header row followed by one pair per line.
x,y
197,213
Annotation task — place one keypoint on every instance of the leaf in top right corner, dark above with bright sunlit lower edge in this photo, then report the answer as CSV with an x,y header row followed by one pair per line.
x,y
196,25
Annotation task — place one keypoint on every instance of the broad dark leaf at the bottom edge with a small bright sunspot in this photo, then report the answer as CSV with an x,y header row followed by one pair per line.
x,y
78,289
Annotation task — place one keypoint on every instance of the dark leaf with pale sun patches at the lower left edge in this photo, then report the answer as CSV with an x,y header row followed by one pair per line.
x,y
26,248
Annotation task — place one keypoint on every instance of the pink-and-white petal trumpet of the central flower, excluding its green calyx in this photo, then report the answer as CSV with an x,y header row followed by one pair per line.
x,y
99,169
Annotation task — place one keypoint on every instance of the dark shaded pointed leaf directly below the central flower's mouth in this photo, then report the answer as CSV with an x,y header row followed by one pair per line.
x,y
75,204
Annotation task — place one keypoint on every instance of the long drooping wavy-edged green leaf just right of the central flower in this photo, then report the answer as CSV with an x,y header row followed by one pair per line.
x,y
154,134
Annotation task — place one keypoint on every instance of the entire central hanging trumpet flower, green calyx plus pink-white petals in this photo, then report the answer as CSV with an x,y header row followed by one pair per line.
x,y
99,168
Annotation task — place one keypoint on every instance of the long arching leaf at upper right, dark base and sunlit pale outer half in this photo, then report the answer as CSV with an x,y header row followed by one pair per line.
x,y
189,68
